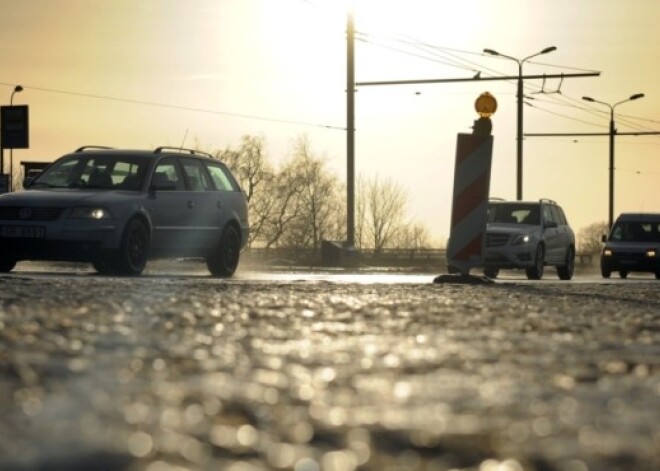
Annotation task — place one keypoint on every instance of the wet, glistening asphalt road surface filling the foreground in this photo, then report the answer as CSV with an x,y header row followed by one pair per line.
x,y
332,372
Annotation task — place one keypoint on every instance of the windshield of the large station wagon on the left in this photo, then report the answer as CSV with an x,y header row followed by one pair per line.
x,y
120,172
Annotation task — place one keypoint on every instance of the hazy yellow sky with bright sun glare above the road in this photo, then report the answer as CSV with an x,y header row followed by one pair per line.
x,y
144,73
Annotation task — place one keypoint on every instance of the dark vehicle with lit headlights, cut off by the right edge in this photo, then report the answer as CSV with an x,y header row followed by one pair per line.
x,y
633,245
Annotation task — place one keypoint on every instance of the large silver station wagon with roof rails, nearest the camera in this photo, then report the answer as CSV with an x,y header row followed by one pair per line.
x,y
118,208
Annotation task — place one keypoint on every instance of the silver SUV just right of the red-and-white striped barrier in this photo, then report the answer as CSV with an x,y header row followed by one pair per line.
x,y
528,235
